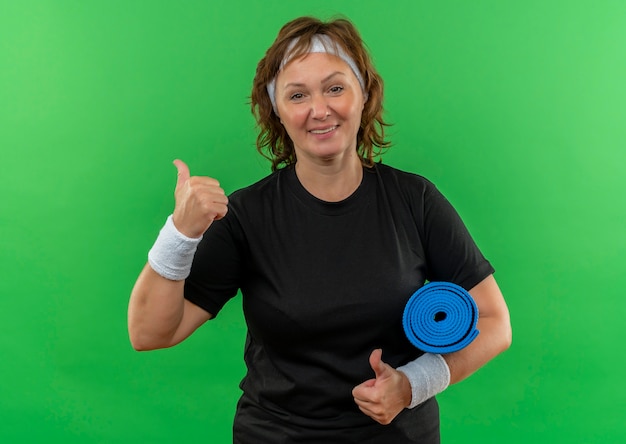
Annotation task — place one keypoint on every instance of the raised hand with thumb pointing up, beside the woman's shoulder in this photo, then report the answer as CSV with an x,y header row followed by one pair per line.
x,y
199,201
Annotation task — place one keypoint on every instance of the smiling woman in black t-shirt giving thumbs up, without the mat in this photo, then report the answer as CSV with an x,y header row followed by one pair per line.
x,y
326,252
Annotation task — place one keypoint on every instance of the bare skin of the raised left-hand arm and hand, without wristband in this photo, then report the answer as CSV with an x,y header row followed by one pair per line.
x,y
159,316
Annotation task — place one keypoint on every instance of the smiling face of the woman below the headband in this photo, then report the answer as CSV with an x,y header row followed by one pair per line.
x,y
320,103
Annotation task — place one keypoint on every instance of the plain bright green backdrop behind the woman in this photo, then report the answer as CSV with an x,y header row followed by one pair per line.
x,y
516,110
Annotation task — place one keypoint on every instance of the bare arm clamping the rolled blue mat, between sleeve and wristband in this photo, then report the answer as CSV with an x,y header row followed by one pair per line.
x,y
495,334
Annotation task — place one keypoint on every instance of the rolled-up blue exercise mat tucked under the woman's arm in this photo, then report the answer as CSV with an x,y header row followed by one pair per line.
x,y
440,317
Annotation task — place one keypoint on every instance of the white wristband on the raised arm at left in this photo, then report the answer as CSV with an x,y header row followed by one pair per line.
x,y
172,253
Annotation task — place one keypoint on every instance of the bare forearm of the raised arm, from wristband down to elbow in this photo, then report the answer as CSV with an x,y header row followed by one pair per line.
x,y
155,310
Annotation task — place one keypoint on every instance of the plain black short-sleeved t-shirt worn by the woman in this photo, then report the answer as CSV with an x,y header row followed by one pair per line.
x,y
323,285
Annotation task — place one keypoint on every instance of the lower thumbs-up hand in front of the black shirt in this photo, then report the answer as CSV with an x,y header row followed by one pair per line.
x,y
386,395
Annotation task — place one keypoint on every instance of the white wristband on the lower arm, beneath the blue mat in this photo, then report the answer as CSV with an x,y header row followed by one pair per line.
x,y
429,375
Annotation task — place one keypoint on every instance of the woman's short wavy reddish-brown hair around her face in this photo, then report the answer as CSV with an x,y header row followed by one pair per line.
x,y
273,142
